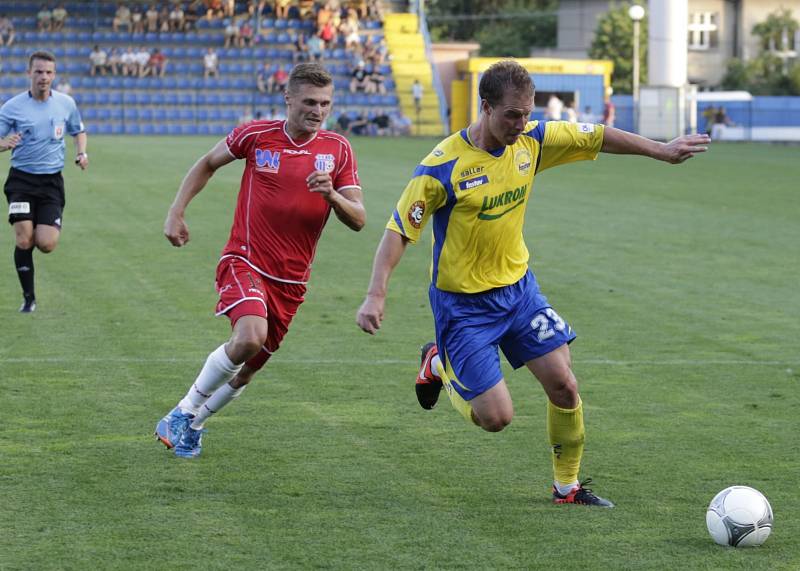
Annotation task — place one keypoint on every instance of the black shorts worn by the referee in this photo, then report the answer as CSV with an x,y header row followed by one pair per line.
x,y
35,197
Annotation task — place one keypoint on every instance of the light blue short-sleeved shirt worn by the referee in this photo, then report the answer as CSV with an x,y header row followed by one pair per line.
x,y
42,125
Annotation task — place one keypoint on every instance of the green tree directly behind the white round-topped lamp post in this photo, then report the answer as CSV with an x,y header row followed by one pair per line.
x,y
613,39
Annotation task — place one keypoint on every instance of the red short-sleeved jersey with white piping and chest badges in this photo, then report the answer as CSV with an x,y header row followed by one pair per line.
x,y
278,221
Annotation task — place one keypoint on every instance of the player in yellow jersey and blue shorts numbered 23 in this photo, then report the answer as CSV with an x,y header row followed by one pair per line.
x,y
474,187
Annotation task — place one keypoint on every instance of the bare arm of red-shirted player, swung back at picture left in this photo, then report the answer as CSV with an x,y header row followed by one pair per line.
x,y
175,228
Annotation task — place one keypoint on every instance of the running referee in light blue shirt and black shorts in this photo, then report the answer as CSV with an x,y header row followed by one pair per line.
x,y
33,125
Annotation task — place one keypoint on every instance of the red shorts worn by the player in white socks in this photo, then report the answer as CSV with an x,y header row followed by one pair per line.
x,y
243,291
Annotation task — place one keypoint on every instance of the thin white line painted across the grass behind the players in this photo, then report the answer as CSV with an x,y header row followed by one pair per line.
x,y
201,358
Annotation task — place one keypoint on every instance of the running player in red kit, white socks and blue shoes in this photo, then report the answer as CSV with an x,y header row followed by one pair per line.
x,y
295,174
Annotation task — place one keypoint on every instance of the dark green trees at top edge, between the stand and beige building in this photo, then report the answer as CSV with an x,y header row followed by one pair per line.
x,y
502,27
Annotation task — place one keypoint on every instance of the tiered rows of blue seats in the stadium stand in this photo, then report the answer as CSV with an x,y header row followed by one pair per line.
x,y
182,101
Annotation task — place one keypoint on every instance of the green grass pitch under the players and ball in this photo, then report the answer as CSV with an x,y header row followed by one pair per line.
x,y
681,281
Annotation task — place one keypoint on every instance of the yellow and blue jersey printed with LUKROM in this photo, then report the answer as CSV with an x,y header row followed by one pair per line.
x,y
477,200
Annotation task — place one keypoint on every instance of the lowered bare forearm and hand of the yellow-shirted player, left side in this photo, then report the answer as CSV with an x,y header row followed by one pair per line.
x,y
390,250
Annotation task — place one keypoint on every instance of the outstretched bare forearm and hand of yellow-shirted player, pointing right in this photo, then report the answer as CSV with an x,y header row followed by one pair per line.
x,y
678,150
